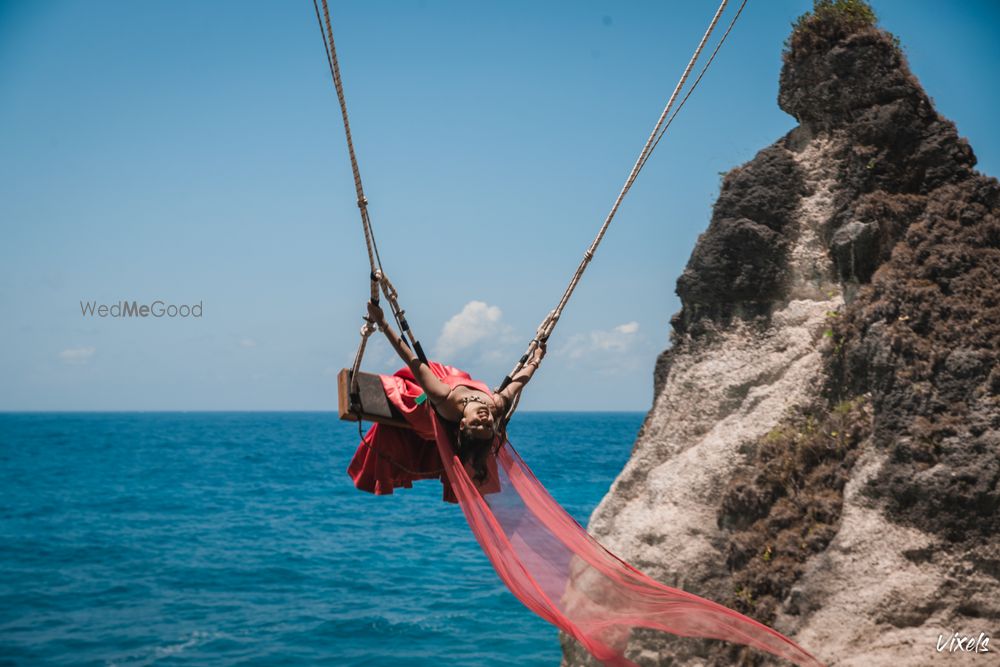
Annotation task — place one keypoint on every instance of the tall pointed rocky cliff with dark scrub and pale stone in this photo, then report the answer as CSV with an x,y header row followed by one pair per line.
x,y
823,450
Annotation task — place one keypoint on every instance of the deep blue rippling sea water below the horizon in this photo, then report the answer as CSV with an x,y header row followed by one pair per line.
x,y
238,539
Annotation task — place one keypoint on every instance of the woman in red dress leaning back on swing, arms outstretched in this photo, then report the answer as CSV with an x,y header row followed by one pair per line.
x,y
474,416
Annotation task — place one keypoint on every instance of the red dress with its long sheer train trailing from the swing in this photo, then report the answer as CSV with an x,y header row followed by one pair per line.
x,y
540,552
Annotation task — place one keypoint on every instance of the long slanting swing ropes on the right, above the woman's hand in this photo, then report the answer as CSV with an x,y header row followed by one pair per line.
x,y
549,322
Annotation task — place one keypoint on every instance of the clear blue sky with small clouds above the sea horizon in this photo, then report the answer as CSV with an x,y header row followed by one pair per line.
x,y
192,152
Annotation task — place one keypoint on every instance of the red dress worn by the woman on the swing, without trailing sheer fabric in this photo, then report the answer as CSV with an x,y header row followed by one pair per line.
x,y
392,457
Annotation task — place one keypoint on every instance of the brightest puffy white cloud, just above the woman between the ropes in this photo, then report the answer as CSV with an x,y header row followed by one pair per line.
x,y
477,327
